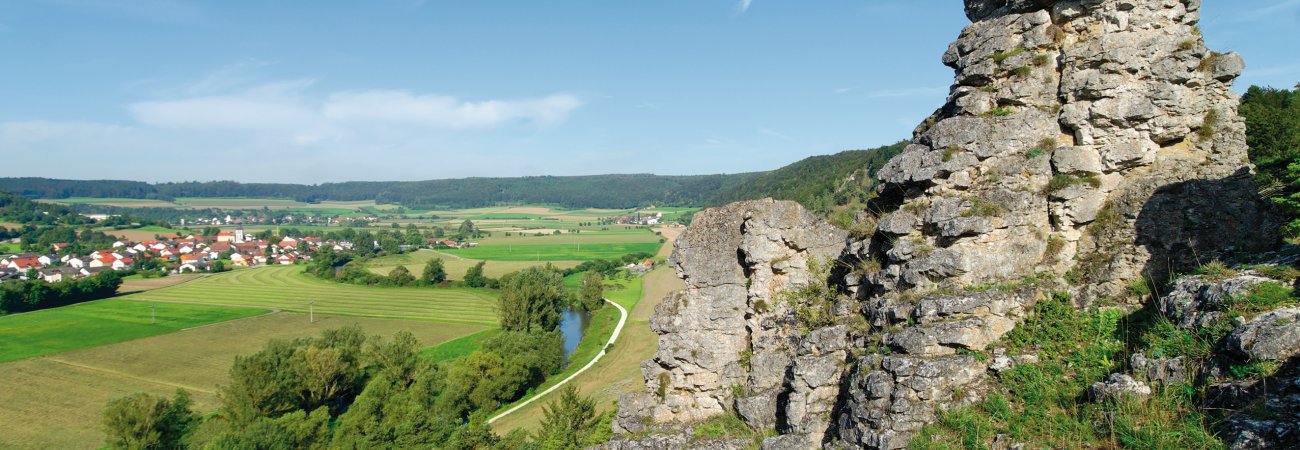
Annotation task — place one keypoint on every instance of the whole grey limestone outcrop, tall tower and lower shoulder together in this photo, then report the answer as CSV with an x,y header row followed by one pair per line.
x,y
1094,141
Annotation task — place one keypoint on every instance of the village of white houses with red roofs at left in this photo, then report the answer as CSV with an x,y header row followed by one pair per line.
x,y
180,256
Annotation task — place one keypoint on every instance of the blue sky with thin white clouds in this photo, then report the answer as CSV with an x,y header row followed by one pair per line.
x,y
393,90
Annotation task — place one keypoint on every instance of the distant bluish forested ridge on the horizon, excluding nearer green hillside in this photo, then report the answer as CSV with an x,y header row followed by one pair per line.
x,y
586,192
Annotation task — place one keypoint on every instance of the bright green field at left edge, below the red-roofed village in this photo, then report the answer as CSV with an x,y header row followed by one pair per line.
x,y
103,322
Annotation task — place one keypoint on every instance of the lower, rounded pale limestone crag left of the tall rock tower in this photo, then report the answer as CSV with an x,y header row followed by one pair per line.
x,y
731,340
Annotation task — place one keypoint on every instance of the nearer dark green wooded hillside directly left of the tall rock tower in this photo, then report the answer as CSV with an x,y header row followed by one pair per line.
x,y
818,183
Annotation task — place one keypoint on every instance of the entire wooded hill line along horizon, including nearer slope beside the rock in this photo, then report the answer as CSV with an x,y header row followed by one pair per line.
x,y
818,183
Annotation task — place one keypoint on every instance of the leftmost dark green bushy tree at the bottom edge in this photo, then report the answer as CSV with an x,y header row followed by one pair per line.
x,y
148,422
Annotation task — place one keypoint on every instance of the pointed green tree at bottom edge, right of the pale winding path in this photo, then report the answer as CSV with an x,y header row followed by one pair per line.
x,y
569,423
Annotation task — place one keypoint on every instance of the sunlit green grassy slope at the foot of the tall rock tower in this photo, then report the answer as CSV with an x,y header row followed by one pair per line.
x,y
1045,404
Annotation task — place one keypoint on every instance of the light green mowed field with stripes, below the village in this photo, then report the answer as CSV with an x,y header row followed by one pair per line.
x,y
287,288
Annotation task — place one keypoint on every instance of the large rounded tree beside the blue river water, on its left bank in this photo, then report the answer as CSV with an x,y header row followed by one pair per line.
x,y
531,300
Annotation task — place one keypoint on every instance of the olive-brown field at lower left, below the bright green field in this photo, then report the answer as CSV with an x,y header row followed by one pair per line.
x,y
67,392
